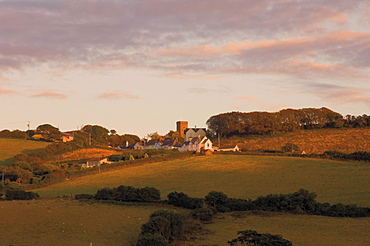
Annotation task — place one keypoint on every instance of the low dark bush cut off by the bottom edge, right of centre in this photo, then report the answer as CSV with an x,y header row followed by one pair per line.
x,y
250,237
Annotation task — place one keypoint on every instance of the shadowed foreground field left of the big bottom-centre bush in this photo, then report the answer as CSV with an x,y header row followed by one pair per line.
x,y
64,222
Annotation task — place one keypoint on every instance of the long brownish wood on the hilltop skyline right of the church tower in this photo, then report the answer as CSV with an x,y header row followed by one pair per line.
x,y
287,120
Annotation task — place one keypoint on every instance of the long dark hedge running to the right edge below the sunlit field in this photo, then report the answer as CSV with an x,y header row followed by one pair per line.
x,y
302,202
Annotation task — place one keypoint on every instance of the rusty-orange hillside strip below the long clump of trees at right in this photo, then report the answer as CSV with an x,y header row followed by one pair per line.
x,y
310,141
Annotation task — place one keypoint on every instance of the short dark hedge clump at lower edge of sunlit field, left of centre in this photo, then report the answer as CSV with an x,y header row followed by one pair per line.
x,y
129,194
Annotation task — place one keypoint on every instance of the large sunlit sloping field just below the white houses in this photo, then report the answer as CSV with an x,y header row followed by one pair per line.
x,y
236,176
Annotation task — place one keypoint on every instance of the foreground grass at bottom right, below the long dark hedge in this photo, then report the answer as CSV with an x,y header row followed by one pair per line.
x,y
302,230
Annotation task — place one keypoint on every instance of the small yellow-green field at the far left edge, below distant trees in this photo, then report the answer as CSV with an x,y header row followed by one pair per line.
x,y
11,147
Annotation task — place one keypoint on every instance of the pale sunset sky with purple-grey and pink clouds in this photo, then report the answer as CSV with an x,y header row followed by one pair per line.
x,y
138,66
